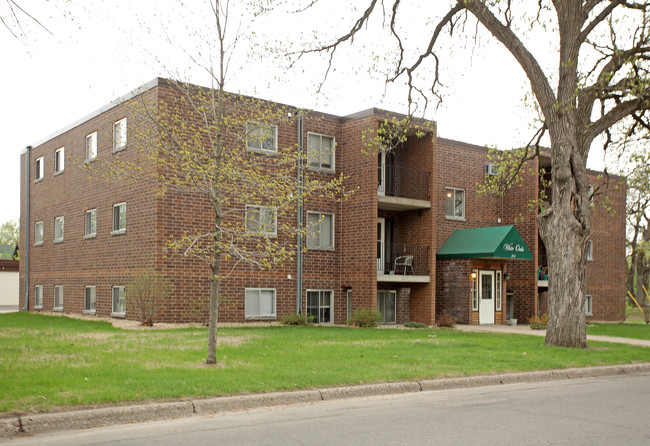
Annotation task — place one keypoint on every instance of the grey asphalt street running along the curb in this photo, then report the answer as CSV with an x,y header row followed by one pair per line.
x,y
606,410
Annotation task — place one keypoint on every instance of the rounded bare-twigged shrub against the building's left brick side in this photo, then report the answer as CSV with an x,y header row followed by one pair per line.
x,y
145,292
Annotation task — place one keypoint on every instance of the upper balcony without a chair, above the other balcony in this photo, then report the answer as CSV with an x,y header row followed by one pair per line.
x,y
402,188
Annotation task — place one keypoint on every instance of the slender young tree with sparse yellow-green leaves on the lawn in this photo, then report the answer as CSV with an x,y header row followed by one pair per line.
x,y
199,144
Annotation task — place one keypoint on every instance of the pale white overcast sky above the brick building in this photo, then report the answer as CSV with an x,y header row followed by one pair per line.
x,y
102,50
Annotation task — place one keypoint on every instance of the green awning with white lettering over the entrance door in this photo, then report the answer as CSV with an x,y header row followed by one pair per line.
x,y
496,242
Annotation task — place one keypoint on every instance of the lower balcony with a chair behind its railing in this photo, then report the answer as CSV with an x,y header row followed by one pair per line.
x,y
398,262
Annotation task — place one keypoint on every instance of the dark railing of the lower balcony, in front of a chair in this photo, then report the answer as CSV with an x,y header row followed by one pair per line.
x,y
402,259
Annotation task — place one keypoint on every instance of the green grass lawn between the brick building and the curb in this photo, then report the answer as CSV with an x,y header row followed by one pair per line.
x,y
48,361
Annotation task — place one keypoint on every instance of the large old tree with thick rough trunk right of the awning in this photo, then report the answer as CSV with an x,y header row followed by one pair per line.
x,y
600,78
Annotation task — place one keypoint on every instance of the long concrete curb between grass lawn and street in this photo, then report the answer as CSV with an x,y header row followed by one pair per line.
x,y
87,418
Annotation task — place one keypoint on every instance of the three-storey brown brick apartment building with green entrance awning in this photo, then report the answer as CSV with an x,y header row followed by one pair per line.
x,y
414,240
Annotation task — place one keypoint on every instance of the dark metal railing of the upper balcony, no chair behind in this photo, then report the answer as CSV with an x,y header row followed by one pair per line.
x,y
397,181
